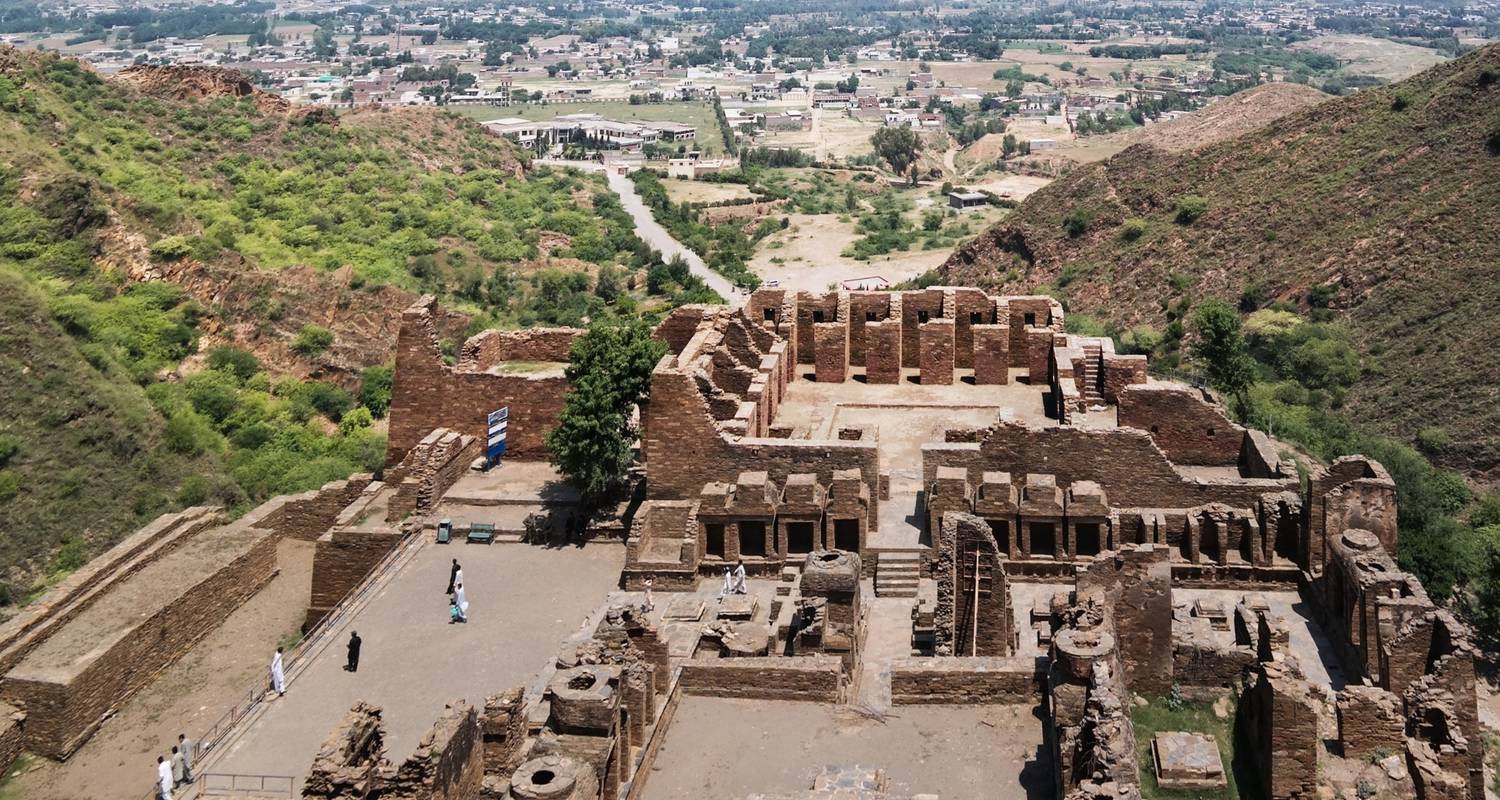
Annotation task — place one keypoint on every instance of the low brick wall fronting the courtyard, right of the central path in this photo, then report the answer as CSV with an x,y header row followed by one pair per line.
x,y
967,681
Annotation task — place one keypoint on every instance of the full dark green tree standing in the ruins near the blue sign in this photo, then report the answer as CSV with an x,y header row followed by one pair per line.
x,y
611,374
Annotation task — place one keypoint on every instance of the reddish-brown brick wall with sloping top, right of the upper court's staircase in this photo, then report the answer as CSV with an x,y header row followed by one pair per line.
x,y
1183,424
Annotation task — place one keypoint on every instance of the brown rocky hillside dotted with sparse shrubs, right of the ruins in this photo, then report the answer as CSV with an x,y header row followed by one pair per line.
x,y
1382,208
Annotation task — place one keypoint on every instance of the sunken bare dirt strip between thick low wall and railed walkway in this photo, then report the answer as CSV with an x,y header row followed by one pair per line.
x,y
119,762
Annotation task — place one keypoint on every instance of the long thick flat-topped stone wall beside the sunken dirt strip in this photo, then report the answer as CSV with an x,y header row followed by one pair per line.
x,y
73,681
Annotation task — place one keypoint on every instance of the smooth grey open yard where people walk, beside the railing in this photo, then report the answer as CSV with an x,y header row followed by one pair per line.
x,y
415,663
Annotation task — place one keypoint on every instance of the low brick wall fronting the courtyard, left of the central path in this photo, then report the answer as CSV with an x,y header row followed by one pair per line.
x,y
815,679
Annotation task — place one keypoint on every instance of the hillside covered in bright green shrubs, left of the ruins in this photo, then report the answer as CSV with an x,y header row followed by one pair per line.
x,y
203,286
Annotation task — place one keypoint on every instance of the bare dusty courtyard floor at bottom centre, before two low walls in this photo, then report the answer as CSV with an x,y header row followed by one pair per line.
x,y
730,748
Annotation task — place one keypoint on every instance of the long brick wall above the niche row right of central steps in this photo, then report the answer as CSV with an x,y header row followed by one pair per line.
x,y
1132,471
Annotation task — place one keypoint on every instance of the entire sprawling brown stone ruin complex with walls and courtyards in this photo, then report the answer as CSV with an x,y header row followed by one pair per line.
x,y
985,558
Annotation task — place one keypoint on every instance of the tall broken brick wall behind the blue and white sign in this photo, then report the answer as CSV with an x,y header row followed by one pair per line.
x,y
430,394
